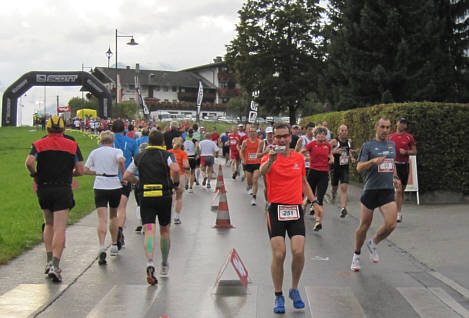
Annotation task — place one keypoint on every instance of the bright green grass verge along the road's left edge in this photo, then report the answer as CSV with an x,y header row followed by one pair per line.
x,y
20,214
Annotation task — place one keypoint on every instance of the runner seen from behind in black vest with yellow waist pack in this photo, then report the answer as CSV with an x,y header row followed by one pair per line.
x,y
155,185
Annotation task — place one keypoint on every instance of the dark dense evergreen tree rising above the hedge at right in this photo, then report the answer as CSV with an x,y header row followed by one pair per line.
x,y
381,51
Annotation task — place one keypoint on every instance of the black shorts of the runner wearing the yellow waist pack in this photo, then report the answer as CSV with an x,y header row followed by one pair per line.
x,y
156,206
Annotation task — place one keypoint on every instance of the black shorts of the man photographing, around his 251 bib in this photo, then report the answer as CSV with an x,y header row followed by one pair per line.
x,y
279,228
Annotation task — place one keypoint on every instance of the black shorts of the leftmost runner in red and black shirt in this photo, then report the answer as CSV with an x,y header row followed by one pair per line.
x,y
55,198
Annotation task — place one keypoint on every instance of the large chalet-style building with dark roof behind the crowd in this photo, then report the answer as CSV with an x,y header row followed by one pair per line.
x,y
176,92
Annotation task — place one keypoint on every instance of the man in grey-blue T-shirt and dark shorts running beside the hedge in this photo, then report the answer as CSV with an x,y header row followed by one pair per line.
x,y
376,161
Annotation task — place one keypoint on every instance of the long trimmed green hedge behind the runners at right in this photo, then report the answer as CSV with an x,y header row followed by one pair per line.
x,y
440,130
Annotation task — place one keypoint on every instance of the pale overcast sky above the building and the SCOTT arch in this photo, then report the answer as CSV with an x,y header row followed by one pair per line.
x,y
61,35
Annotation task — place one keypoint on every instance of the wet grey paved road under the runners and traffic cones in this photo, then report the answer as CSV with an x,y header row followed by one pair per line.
x,y
423,270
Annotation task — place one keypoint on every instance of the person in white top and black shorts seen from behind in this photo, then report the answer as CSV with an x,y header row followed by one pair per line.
x,y
105,163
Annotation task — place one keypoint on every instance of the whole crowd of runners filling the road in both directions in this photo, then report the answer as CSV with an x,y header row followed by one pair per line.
x,y
294,165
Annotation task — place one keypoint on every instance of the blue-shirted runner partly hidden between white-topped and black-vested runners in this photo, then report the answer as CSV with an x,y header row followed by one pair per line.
x,y
129,149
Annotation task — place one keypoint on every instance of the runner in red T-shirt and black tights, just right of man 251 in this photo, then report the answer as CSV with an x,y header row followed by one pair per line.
x,y
318,177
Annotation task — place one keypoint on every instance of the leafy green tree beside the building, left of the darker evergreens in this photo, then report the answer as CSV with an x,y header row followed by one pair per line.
x,y
276,51
